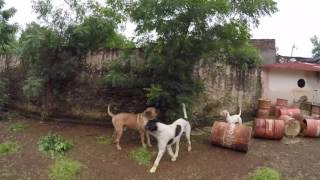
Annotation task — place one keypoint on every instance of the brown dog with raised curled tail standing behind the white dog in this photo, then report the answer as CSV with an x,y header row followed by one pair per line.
x,y
132,121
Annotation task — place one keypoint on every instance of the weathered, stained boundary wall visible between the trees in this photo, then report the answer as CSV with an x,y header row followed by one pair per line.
x,y
226,87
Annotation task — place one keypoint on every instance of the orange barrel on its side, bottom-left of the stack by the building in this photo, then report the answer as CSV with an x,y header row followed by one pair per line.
x,y
268,128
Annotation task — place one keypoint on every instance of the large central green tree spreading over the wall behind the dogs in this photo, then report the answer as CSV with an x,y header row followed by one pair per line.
x,y
178,33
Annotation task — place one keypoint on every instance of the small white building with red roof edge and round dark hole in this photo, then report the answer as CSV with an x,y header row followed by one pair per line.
x,y
293,80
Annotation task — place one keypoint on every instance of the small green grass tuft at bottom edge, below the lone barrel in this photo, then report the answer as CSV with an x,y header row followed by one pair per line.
x,y
264,173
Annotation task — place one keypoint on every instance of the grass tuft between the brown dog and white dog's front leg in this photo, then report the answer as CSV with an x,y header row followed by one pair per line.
x,y
142,156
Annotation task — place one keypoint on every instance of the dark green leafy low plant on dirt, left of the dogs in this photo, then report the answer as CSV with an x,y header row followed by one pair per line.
x,y
54,144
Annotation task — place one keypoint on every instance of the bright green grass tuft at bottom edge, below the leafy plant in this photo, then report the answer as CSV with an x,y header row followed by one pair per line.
x,y
64,169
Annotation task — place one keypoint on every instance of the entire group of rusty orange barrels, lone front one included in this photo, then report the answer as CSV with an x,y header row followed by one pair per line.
x,y
285,121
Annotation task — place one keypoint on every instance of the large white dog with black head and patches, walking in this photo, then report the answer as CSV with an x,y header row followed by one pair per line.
x,y
167,135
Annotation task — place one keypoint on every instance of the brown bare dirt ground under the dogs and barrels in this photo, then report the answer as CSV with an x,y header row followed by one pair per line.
x,y
299,160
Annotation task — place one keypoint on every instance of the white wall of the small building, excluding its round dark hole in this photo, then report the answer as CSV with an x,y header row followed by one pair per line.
x,y
283,84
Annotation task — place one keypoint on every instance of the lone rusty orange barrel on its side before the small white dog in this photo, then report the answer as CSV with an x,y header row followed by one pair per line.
x,y
234,136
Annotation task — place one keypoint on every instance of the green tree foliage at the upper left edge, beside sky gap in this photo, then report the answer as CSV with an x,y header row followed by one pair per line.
x,y
7,30
